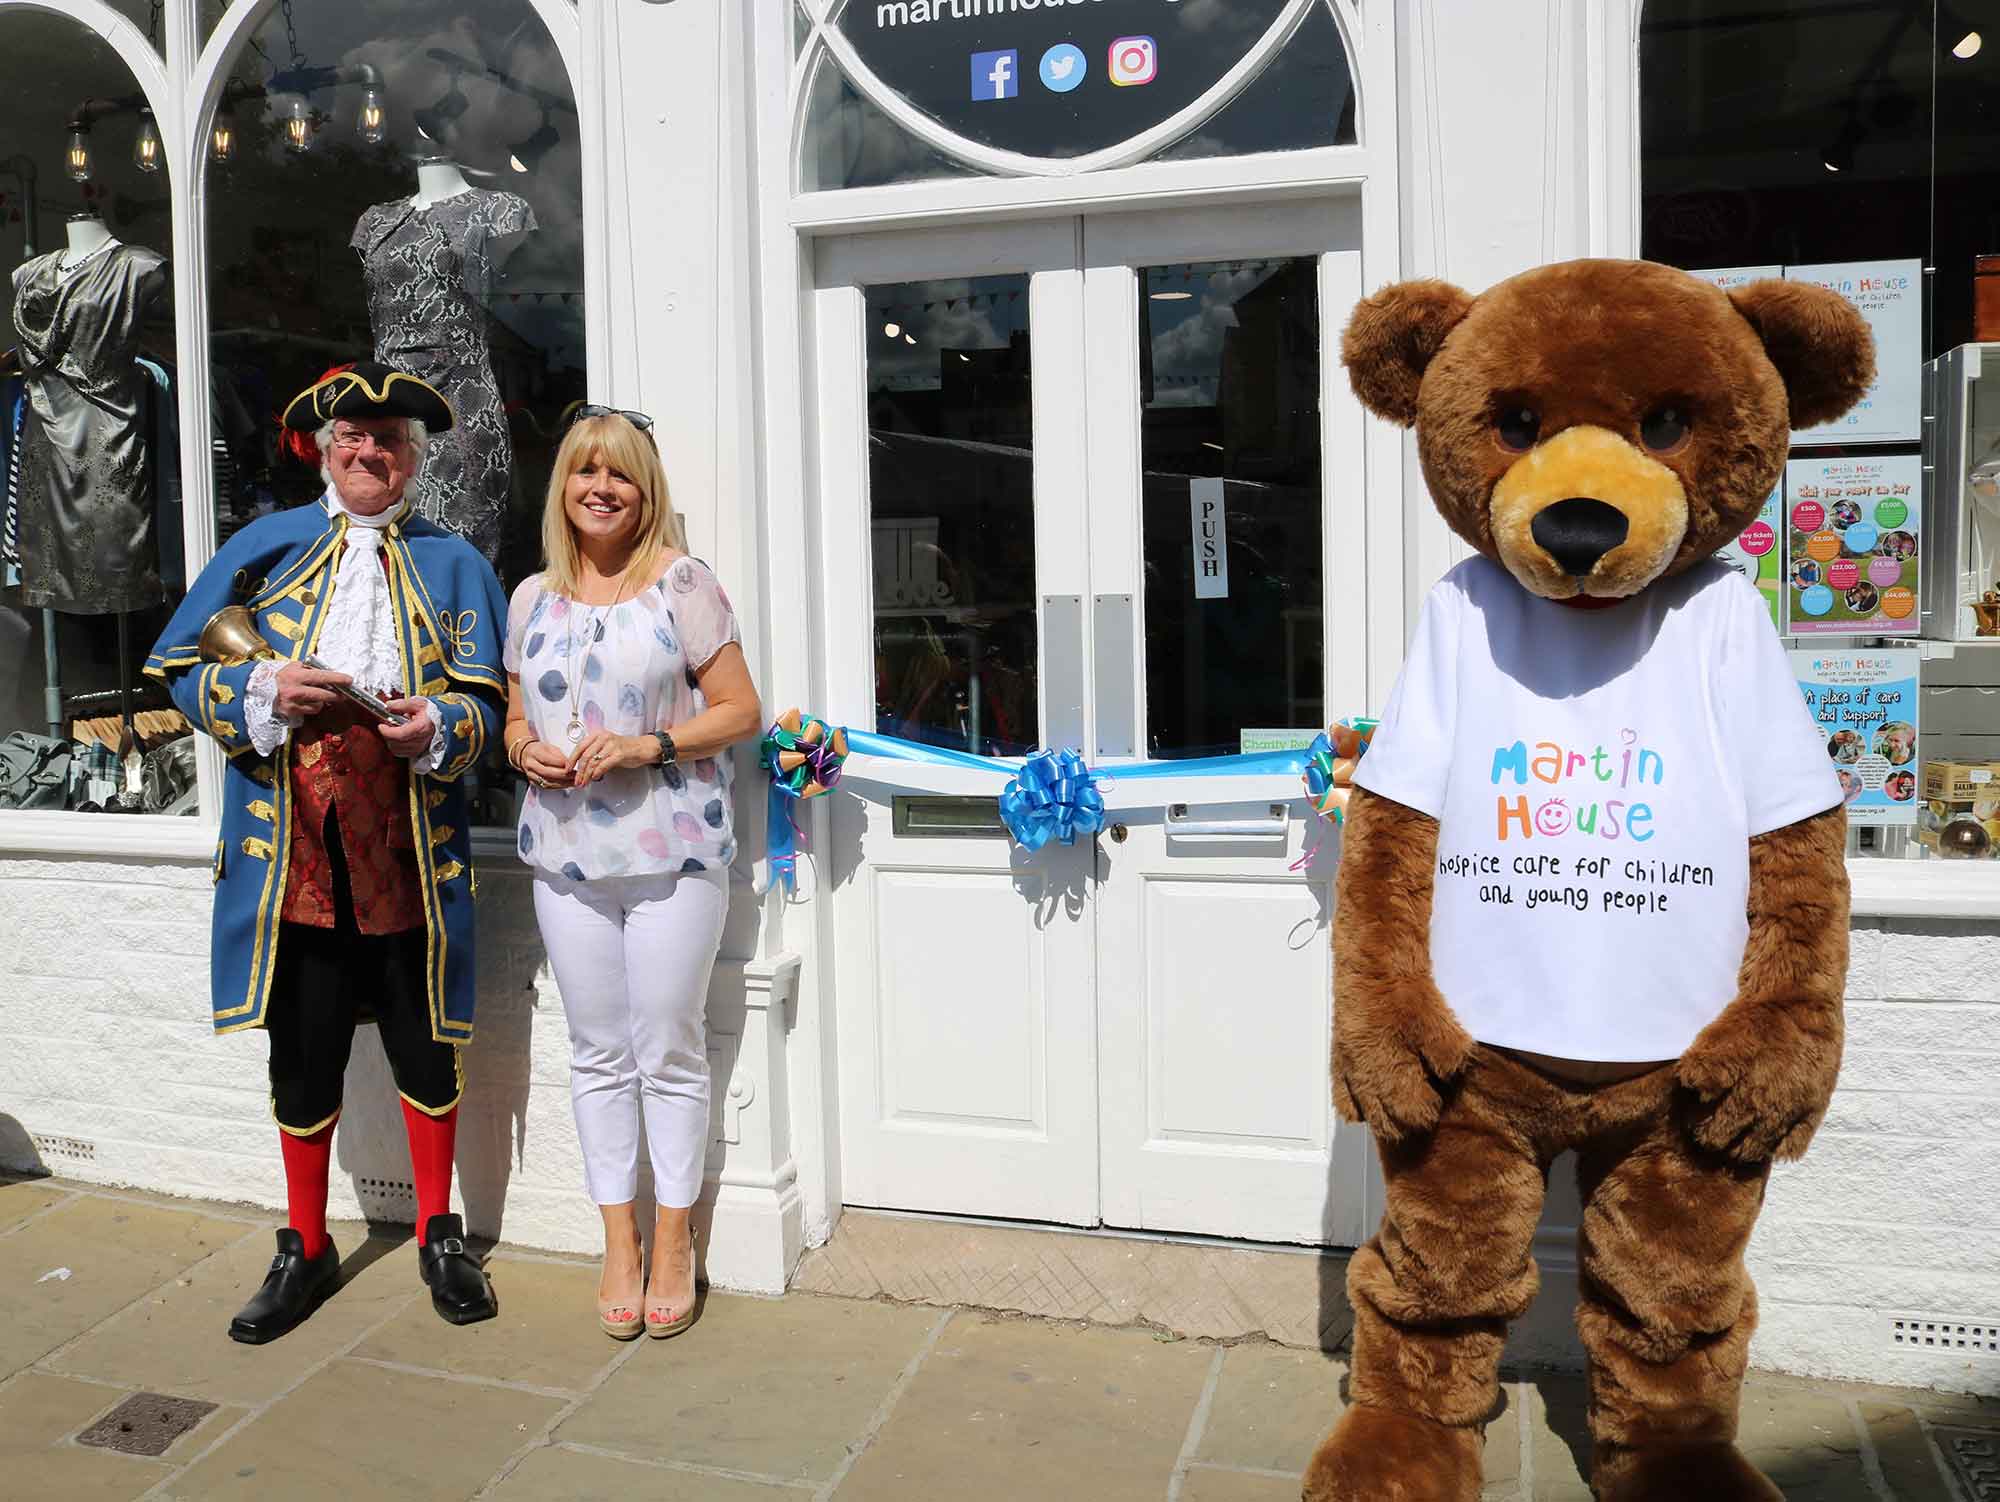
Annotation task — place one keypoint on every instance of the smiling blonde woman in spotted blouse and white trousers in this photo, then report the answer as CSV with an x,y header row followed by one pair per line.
x,y
627,687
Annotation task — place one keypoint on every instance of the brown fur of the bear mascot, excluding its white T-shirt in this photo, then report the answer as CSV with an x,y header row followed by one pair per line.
x,y
1671,1159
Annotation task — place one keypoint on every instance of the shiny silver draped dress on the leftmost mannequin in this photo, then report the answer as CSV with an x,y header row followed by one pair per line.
x,y
87,507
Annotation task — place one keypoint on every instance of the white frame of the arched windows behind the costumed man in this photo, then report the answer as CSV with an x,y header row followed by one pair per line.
x,y
183,87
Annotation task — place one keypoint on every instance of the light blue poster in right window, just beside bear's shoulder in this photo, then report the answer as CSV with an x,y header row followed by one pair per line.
x,y
1865,705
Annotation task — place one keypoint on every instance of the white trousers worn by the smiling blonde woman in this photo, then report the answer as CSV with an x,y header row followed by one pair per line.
x,y
633,957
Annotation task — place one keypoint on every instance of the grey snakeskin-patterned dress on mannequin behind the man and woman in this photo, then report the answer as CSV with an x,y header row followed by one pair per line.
x,y
429,275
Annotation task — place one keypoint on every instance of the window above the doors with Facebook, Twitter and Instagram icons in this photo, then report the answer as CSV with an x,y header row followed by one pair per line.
x,y
903,91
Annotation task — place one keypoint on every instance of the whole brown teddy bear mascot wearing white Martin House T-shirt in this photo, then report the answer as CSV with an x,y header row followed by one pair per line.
x,y
1593,887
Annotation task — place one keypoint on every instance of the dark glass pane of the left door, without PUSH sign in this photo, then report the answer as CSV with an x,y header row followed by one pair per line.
x,y
951,493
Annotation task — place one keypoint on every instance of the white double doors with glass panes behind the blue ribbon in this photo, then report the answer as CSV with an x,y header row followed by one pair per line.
x,y
1085,483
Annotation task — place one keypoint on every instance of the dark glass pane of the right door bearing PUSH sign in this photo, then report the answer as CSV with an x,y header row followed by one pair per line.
x,y
1231,453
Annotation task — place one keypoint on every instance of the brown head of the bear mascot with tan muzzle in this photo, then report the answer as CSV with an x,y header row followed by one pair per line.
x,y
1601,425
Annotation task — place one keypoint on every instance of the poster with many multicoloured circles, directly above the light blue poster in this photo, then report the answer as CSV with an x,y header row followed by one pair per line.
x,y
1851,545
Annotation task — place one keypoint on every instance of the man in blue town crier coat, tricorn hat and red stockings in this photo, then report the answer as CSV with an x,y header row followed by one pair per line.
x,y
345,869
